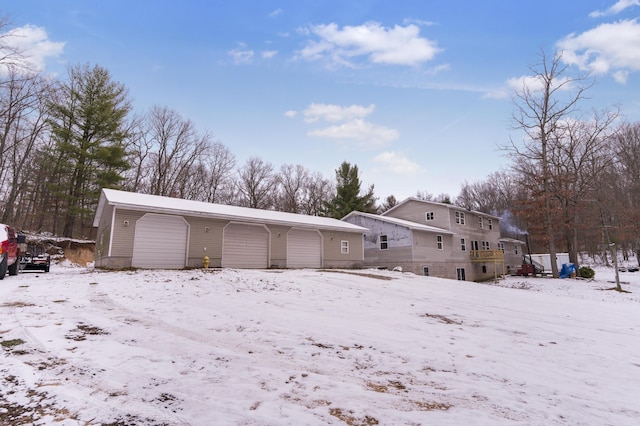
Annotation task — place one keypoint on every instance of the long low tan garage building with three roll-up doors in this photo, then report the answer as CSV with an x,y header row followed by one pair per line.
x,y
149,231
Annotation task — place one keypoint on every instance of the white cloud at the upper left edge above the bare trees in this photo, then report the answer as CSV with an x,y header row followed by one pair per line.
x,y
33,43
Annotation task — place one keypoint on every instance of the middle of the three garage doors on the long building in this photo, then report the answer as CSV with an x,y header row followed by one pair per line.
x,y
245,246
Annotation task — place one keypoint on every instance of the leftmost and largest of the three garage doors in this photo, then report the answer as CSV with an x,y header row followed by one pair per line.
x,y
160,242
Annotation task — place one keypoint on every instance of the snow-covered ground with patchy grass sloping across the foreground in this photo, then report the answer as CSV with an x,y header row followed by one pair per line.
x,y
303,347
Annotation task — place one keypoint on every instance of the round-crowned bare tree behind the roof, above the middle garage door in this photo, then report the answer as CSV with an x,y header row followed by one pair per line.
x,y
256,183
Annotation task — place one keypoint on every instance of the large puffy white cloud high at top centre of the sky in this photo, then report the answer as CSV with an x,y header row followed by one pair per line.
x,y
380,45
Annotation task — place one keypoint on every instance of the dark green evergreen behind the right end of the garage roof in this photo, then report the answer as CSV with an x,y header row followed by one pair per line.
x,y
348,198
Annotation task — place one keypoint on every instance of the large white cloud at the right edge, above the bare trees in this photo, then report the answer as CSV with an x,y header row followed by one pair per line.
x,y
608,47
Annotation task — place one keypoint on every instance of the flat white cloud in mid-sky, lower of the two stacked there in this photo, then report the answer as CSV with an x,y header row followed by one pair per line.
x,y
365,133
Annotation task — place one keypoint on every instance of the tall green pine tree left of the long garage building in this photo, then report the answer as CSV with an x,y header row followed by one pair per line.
x,y
88,129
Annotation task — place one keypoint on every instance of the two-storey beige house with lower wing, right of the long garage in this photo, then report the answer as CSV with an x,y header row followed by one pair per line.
x,y
434,239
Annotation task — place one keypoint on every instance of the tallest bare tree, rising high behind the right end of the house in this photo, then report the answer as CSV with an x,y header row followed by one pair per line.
x,y
542,104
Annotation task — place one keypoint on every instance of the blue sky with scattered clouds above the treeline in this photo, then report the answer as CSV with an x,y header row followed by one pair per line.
x,y
416,93
